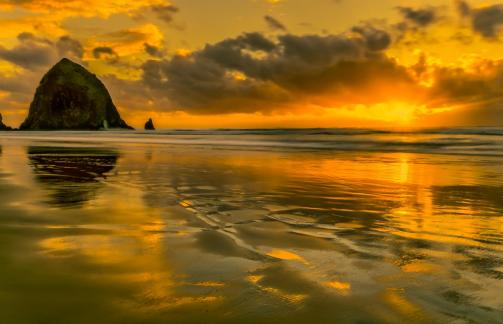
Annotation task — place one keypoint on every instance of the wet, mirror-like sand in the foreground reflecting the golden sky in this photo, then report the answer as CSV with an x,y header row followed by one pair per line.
x,y
153,233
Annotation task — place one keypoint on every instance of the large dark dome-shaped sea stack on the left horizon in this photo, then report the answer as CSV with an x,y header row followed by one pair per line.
x,y
71,98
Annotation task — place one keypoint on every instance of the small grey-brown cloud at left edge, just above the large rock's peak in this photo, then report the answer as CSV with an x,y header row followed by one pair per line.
x,y
34,52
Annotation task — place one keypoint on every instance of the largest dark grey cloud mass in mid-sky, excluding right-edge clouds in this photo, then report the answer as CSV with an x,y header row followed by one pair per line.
x,y
254,73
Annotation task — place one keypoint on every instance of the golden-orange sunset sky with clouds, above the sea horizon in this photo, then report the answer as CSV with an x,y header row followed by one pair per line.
x,y
266,63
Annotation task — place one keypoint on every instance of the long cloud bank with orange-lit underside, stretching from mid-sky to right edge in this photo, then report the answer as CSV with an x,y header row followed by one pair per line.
x,y
254,73
